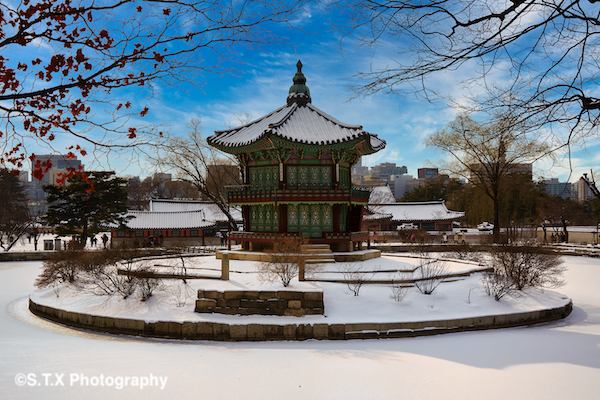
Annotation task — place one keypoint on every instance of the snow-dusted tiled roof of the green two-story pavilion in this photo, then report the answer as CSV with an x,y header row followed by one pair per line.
x,y
303,124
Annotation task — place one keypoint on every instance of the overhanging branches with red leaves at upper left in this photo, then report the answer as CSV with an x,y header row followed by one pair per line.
x,y
69,68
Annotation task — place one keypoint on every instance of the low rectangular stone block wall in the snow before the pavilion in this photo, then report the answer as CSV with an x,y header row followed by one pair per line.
x,y
252,302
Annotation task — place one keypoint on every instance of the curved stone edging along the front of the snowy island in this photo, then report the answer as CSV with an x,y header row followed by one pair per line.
x,y
261,332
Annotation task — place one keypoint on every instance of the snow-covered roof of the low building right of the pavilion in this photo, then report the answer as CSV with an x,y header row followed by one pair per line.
x,y
416,211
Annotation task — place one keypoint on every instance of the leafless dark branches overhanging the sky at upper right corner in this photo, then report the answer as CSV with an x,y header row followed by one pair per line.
x,y
535,60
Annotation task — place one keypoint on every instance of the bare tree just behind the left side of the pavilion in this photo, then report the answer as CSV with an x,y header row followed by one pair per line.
x,y
209,170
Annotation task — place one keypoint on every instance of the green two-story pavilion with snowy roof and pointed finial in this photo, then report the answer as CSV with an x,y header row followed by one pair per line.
x,y
296,165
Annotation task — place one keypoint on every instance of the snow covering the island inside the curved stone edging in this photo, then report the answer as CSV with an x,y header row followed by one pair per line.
x,y
461,298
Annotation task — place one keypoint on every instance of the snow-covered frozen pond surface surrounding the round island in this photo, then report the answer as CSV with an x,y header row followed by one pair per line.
x,y
550,361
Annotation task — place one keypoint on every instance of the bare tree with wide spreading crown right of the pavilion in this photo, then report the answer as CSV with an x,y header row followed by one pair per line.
x,y
488,154
